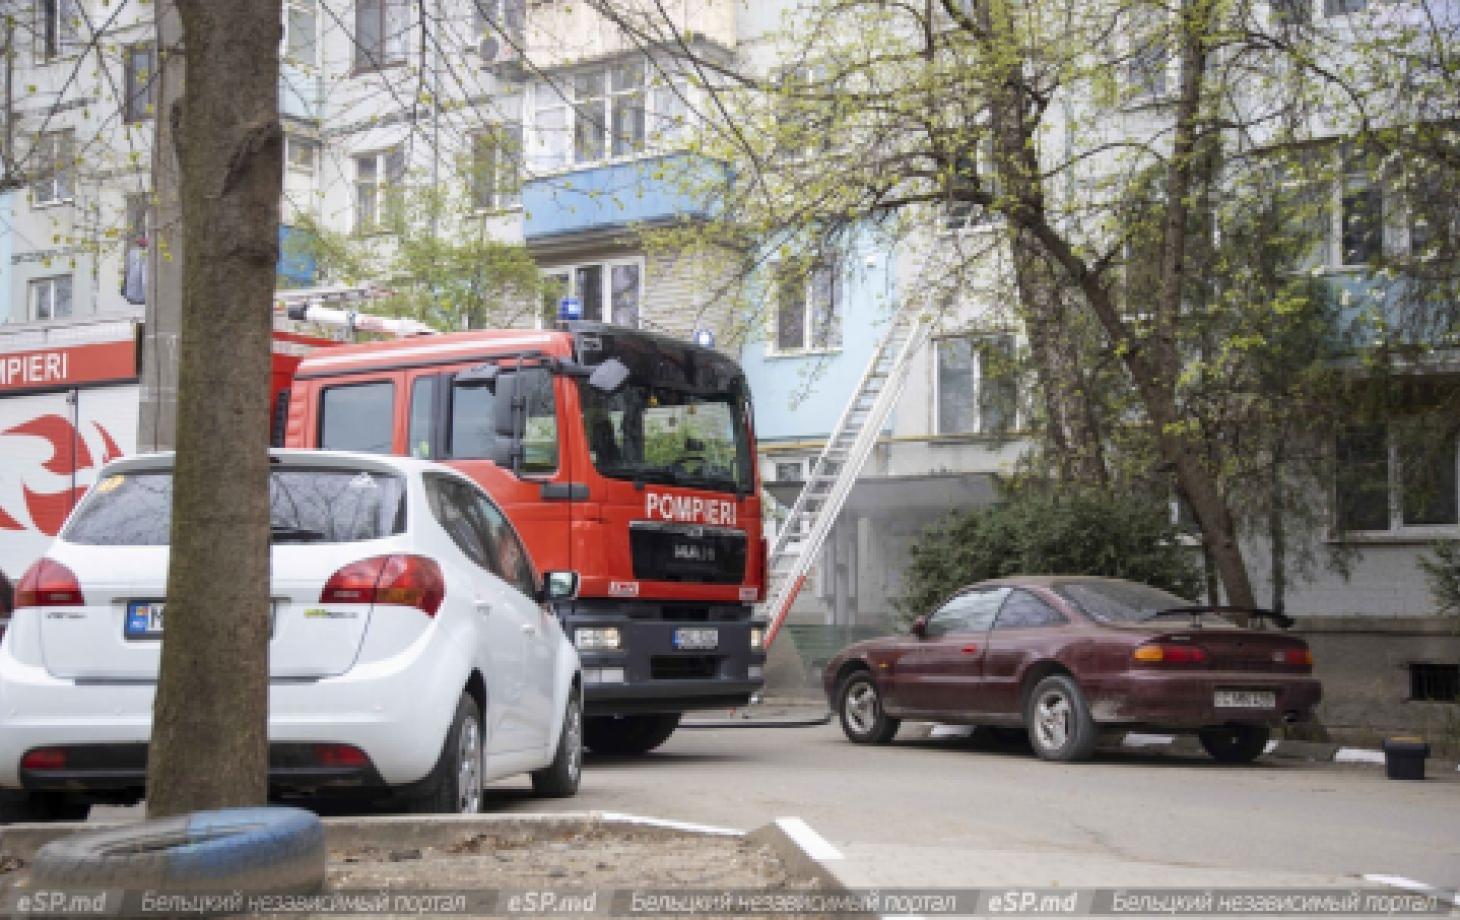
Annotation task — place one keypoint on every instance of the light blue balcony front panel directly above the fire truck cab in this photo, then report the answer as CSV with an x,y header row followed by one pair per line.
x,y
643,192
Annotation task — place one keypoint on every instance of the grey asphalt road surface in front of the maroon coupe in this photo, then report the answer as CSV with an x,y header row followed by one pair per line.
x,y
957,813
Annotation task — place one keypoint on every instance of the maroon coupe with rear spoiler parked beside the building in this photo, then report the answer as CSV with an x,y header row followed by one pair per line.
x,y
1071,656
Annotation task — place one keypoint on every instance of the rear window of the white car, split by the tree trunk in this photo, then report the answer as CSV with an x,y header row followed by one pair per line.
x,y
335,506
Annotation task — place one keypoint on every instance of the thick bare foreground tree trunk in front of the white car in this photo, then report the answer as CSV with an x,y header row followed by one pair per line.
x,y
210,741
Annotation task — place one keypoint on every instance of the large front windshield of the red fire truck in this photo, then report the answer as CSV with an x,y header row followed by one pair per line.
x,y
669,436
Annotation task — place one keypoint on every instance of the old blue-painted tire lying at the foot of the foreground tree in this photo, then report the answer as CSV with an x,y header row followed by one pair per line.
x,y
247,849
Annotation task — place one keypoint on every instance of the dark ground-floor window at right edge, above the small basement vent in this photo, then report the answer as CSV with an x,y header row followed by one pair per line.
x,y
1398,477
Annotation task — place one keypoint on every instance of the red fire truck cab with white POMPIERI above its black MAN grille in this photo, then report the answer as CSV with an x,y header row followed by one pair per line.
x,y
620,455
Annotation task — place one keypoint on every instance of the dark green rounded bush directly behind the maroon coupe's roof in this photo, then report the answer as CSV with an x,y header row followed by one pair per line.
x,y
1058,534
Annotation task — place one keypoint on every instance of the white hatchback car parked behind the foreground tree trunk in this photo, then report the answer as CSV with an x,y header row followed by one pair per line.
x,y
411,648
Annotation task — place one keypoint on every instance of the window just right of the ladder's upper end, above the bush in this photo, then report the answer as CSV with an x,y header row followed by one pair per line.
x,y
976,385
